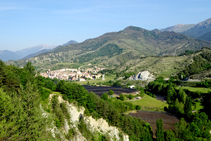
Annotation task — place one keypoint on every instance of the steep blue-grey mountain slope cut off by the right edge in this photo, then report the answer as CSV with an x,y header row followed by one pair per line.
x,y
199,29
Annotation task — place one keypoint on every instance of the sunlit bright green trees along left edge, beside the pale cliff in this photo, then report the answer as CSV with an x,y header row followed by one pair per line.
x,y
20,117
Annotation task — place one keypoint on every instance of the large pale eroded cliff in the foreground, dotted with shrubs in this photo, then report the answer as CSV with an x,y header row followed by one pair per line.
x,y
94,125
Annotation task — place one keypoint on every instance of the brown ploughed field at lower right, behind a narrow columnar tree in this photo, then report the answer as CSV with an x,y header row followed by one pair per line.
x,y
151,117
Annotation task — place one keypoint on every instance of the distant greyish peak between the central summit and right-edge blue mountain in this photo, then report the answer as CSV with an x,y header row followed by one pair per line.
x,y
178,28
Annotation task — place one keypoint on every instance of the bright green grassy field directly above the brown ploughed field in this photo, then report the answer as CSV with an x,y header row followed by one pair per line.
x,y
149,103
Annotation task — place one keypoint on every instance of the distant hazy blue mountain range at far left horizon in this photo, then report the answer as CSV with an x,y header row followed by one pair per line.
x,y
10,55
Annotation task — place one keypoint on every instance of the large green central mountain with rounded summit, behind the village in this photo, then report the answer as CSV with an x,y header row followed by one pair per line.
x,y
115,48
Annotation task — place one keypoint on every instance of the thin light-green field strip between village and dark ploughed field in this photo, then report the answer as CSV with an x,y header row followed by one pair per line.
x,y
107,78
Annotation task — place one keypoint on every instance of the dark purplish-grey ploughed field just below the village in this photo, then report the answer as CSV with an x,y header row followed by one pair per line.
x,y
99,90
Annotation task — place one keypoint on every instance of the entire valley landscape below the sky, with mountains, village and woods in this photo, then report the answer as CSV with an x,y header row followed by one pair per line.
x,y
133,84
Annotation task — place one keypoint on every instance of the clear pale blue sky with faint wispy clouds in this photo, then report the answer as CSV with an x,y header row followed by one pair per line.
x,y
25,23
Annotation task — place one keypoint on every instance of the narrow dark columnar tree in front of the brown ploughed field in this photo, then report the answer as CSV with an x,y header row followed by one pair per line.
x,y
159,130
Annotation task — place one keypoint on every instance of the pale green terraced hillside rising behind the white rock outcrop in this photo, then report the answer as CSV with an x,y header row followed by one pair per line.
x,y
158,66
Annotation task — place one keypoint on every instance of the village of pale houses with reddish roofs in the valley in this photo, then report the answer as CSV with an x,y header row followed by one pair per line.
x,y
74,74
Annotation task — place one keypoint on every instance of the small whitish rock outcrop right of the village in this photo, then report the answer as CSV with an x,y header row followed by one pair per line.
x,y
143,75
